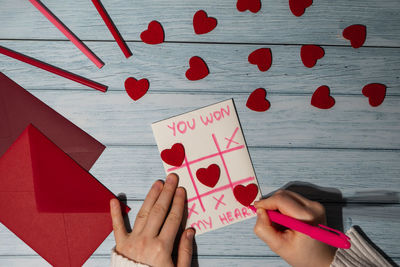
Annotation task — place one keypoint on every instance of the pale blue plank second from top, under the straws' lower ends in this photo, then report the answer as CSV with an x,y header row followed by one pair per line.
x,y
344,70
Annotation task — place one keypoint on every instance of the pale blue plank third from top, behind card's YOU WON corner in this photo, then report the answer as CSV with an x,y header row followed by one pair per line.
x,y
113,118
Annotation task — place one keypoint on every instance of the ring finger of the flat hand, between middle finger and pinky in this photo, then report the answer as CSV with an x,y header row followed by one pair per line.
x,y
148,203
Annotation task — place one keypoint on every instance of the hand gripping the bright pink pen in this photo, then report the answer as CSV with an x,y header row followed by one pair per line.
x,y
296,248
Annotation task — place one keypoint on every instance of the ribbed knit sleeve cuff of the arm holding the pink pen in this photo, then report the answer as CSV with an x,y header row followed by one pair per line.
x,y
361,253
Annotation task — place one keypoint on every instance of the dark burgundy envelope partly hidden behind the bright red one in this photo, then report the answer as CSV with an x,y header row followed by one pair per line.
x,y
19,108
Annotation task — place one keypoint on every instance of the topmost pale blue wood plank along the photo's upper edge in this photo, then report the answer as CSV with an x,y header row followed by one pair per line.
x,y
322,23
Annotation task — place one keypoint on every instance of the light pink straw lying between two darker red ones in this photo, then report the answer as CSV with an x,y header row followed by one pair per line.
x,y
67,32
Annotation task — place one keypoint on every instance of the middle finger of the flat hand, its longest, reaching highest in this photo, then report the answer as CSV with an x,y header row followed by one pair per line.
x,y
160,208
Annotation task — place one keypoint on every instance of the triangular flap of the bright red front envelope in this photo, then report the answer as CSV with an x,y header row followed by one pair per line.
x,y
60,184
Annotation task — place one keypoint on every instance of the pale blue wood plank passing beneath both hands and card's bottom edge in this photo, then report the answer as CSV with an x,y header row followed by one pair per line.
x,y
372,220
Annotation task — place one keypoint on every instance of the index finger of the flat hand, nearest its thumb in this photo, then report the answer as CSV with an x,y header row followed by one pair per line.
x,y
174,218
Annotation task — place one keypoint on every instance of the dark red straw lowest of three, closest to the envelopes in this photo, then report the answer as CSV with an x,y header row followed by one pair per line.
x,y
52,69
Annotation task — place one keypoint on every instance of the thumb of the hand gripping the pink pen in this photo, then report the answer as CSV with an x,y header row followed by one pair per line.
x,y
266,232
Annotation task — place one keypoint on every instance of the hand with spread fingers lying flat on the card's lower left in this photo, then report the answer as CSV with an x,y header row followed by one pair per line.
x,y
156,226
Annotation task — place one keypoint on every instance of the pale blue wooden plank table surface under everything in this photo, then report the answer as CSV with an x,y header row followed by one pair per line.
x,y
352,149
